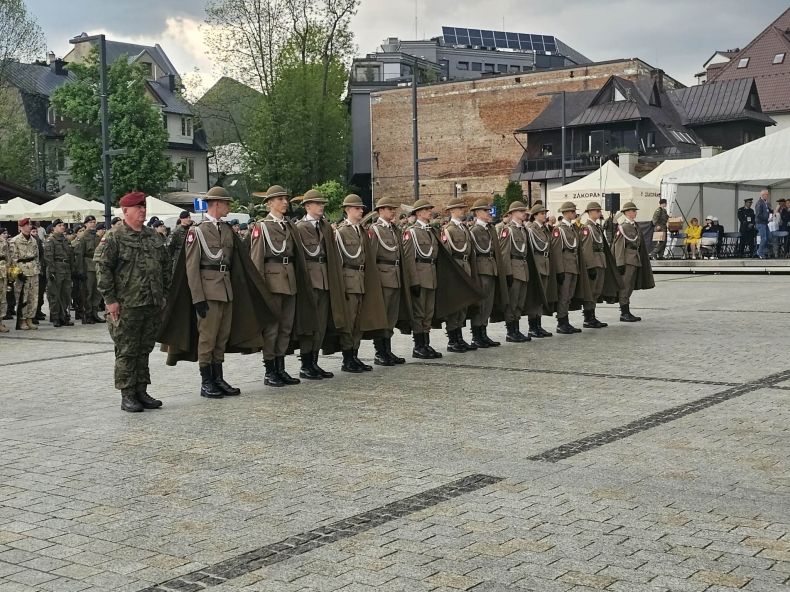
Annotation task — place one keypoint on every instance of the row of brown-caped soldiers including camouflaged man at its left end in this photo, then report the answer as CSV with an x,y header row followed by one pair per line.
x,y
319,289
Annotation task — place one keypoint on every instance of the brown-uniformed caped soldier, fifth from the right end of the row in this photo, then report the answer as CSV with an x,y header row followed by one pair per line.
x,y
514,244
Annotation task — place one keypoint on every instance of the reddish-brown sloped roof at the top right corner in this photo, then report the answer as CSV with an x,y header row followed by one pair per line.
x,y
773,80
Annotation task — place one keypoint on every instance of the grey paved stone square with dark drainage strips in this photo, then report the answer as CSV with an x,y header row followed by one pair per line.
x,y
642,457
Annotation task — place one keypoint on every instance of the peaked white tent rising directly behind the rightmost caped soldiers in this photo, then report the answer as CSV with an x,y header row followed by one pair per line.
x,y
608,179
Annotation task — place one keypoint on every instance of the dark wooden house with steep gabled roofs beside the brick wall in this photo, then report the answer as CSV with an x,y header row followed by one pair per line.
x,y
650,116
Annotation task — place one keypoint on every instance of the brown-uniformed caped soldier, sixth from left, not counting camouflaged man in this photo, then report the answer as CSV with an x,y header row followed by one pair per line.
x,y
421,251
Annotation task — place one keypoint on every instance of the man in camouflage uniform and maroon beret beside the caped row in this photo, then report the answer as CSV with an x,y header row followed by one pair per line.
x,y
133,273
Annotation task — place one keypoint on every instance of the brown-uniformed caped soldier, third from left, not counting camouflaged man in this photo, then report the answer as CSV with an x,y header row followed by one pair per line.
x,y
324,268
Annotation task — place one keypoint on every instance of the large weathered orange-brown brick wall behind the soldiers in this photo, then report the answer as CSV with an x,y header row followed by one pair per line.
x,y
469,127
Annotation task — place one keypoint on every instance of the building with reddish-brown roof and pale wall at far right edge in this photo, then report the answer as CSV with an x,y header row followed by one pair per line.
x,y
766,59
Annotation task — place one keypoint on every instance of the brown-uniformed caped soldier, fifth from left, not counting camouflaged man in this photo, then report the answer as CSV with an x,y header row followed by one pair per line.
x,y
386,247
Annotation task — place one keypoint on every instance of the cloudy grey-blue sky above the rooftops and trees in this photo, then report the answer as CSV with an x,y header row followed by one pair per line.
x,y
676,35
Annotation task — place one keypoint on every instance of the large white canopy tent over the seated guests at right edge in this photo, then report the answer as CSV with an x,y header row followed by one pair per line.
x,y
717,186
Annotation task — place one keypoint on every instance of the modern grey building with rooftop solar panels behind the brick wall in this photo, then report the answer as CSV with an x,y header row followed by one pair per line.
x,y
458,54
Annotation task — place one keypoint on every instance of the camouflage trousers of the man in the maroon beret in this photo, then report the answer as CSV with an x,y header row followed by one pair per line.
x,y
134,335
